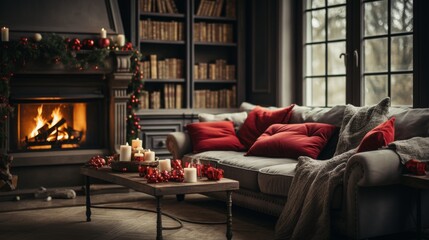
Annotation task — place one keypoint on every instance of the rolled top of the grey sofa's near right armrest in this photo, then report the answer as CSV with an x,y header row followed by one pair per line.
x,y
377,168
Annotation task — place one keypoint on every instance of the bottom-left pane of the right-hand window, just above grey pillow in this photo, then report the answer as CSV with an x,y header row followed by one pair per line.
x,y
375,89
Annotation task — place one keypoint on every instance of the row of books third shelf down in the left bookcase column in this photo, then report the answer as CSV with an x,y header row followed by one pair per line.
x,y
169,68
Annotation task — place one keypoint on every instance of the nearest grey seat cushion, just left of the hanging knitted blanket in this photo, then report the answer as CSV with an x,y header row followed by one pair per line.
x,y
276,180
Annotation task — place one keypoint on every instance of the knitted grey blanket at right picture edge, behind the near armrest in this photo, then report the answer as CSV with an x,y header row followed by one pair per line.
x,y
413,148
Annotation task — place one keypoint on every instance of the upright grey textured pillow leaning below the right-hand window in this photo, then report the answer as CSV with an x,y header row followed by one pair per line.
x,y
357,121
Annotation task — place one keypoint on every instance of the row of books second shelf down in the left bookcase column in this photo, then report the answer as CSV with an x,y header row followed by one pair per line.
x,y
161,30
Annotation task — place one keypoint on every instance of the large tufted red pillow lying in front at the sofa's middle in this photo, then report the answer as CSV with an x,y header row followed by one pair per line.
x,y
293,140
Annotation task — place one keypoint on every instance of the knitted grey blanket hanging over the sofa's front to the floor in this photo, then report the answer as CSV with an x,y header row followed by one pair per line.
x,y
306,214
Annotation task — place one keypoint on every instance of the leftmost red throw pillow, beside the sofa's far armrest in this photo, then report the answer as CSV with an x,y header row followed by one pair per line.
x,y
207,136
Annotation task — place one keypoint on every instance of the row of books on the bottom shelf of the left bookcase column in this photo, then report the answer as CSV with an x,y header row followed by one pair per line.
x,y
172,96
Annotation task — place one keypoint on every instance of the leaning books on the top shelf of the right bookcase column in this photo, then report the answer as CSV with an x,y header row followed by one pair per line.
x,y
213,8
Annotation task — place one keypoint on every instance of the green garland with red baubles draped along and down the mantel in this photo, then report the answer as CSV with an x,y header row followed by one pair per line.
x,y
55,49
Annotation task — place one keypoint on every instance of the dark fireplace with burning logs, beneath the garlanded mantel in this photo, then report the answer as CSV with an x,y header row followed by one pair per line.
x,y
60,120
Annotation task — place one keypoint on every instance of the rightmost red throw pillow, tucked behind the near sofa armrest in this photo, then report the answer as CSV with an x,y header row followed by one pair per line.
x,y
378,137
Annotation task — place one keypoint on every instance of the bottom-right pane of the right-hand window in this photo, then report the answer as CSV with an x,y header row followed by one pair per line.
x,y
402,89
